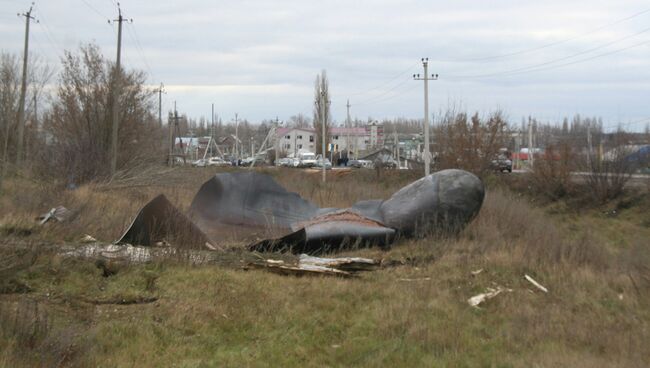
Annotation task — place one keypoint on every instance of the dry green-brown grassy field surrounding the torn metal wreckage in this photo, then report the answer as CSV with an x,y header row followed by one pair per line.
x,y
412,312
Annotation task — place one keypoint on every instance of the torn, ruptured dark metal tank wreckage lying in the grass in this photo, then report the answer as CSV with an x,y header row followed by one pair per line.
x,y
248,206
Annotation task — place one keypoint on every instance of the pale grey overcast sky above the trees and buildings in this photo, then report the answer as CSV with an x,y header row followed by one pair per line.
x,y
260,58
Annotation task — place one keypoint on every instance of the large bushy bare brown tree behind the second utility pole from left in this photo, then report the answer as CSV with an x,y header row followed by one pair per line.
x,y
79,122
